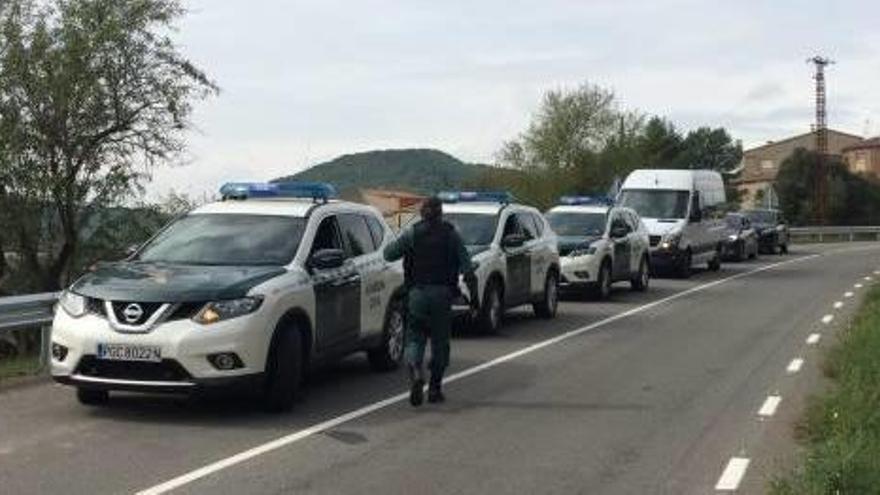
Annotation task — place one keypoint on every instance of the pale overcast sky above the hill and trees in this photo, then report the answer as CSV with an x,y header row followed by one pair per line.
x,y
305,81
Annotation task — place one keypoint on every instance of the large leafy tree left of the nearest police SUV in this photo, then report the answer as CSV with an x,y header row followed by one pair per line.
x,y
93,95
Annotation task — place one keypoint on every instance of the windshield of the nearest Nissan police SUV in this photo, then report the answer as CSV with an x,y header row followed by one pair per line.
x,y
227,239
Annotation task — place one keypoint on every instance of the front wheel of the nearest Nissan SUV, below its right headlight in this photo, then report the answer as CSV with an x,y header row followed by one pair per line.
x,y
284,371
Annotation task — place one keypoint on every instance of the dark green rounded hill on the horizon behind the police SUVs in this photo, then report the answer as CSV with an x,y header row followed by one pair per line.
x,y
416,170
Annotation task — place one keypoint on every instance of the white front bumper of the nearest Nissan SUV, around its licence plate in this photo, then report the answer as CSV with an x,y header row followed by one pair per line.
x,y
184,346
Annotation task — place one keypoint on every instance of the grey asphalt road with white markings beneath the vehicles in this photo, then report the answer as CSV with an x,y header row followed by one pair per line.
x,y
648,393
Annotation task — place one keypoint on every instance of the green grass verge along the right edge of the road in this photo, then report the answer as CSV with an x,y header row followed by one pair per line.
x,y
841,428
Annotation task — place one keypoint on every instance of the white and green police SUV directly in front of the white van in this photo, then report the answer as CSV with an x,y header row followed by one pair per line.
x,y
600,244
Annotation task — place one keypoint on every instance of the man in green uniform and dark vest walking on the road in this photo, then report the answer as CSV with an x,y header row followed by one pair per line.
x,y
434,256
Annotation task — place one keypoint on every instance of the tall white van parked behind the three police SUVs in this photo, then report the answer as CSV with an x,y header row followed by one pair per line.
x,y
680,209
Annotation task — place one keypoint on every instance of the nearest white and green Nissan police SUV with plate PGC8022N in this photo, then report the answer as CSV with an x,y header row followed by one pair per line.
x,y
248,291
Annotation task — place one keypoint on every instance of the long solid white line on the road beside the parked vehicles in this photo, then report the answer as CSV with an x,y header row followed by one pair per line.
x,y
296,436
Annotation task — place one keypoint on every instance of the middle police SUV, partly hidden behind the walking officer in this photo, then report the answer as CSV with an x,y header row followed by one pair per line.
x,y
516,252
